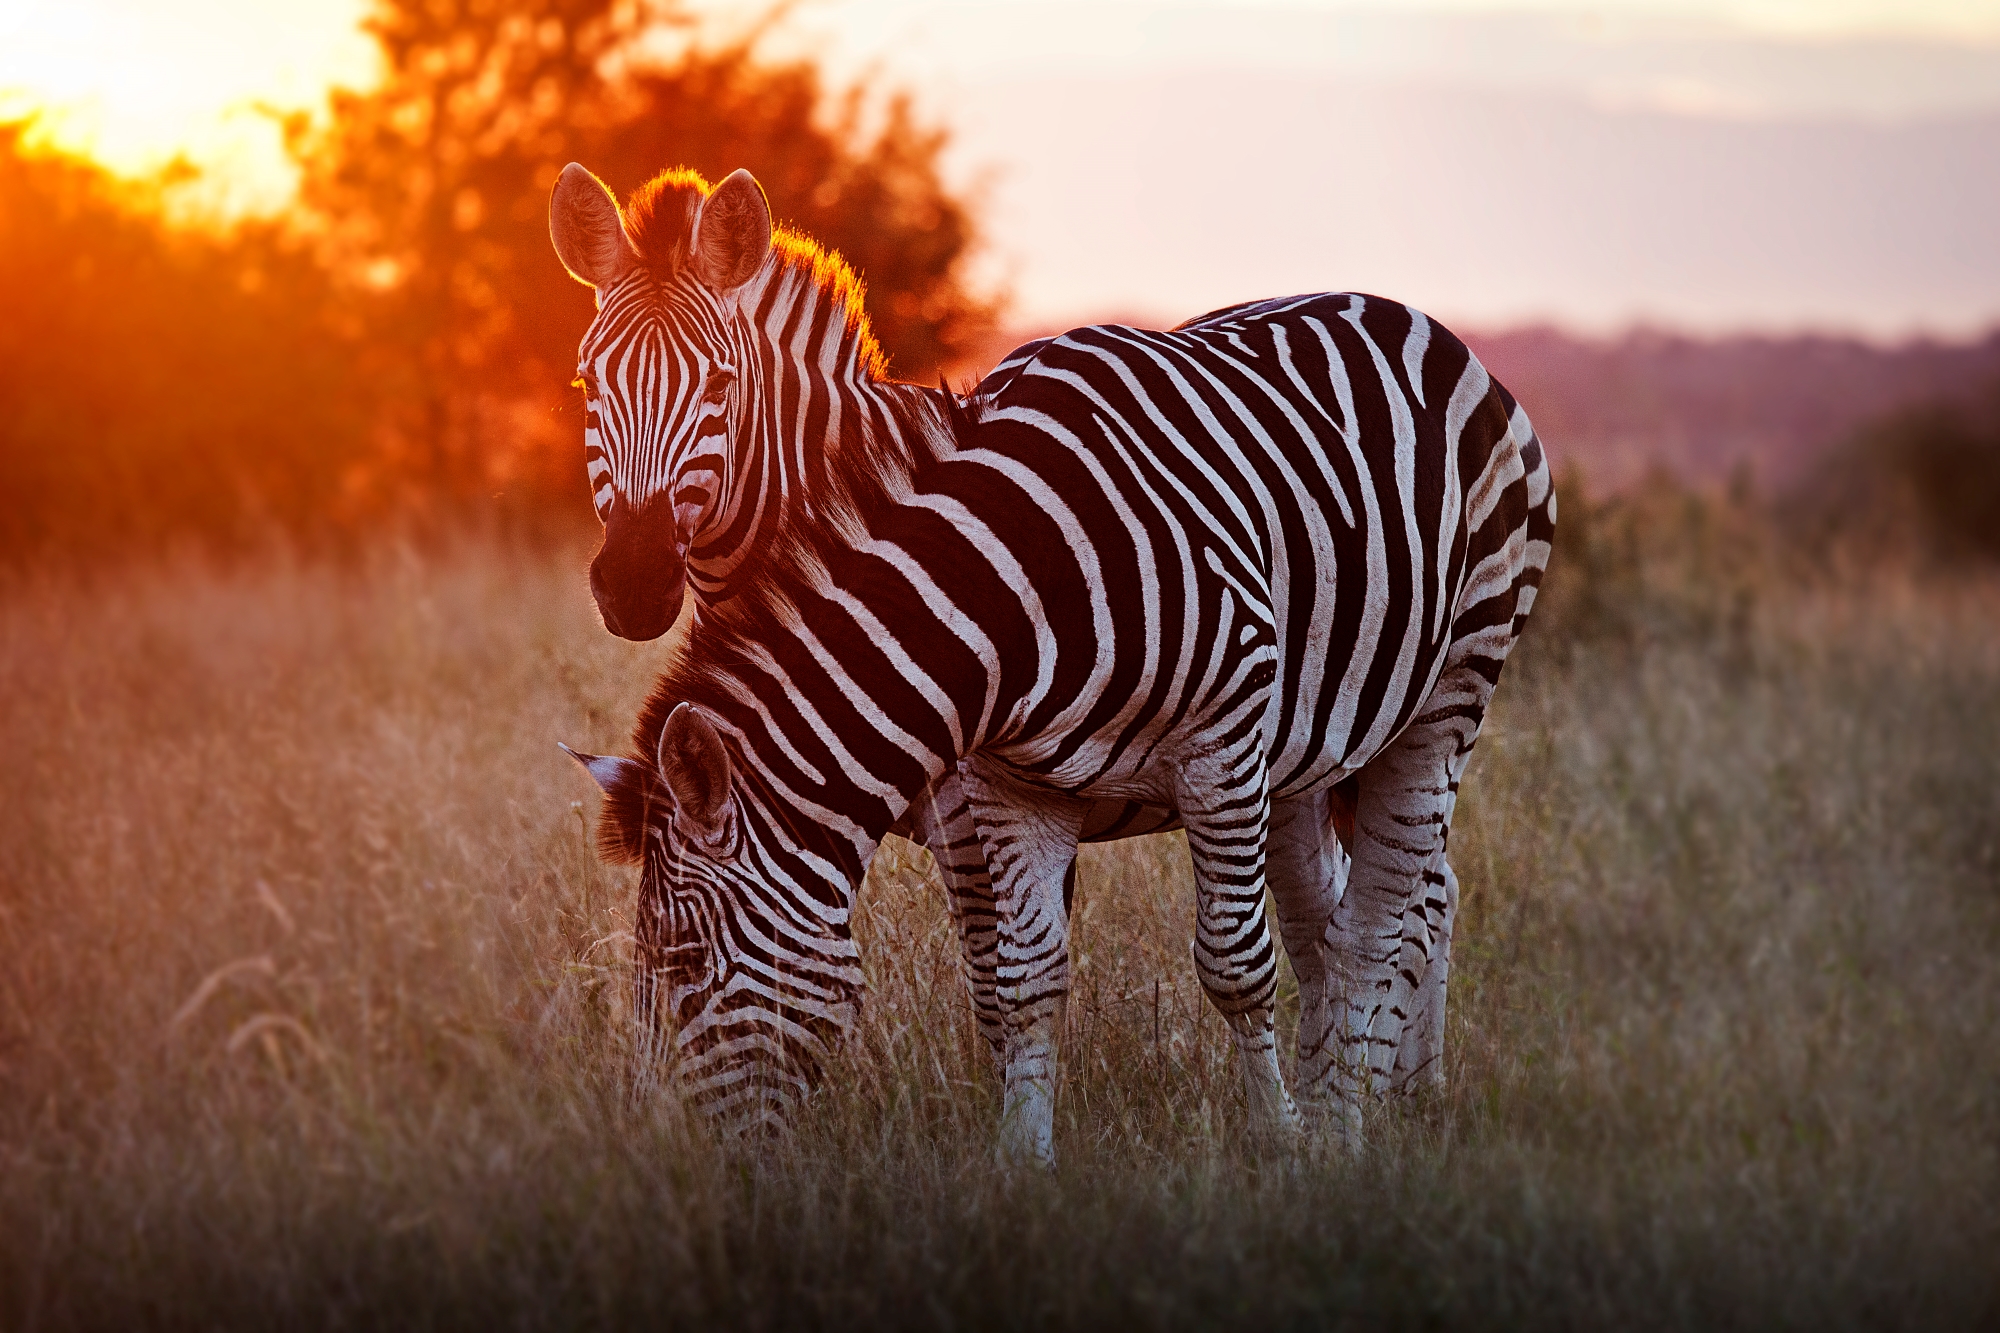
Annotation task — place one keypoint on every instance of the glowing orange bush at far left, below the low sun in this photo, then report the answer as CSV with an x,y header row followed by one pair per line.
x,y
159,383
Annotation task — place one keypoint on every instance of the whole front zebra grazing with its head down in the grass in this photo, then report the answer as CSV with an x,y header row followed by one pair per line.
x,y
1219,571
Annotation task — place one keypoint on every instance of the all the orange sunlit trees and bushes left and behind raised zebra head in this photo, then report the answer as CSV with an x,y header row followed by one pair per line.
x,y
401,347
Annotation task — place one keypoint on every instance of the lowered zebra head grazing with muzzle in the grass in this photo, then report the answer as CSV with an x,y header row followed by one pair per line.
x,y
745,972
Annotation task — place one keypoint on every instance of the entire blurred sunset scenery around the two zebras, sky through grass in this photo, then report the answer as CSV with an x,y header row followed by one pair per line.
x,y
315,1006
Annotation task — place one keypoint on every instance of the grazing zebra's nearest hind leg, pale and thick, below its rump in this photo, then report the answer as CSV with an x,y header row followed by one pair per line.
x,y
1401,826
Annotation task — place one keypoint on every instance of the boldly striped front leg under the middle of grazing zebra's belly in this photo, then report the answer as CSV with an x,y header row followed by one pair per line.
x,y
1227,814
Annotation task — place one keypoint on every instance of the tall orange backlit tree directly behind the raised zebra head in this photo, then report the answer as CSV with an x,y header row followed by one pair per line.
x,y
431,197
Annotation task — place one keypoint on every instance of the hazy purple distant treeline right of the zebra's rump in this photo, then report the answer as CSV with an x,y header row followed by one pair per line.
x,y
1851,447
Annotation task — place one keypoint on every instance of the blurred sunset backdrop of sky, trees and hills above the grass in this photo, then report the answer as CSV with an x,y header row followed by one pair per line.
x,y
281,273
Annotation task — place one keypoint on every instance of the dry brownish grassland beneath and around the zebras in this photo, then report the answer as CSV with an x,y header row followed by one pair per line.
x,y
313,992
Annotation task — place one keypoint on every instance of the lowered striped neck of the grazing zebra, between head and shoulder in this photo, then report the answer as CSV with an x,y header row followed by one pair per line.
x,y
873,651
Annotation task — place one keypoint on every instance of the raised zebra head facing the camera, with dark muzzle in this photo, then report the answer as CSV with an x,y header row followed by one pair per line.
x,y
659,367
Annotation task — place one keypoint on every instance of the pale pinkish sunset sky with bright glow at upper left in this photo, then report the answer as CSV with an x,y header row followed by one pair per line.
x,y
1705,165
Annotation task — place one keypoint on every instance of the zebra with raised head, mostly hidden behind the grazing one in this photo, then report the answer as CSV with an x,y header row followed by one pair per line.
x,y
727,369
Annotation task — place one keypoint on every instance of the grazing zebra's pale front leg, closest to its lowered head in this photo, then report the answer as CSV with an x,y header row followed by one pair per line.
x,y
1029,838
